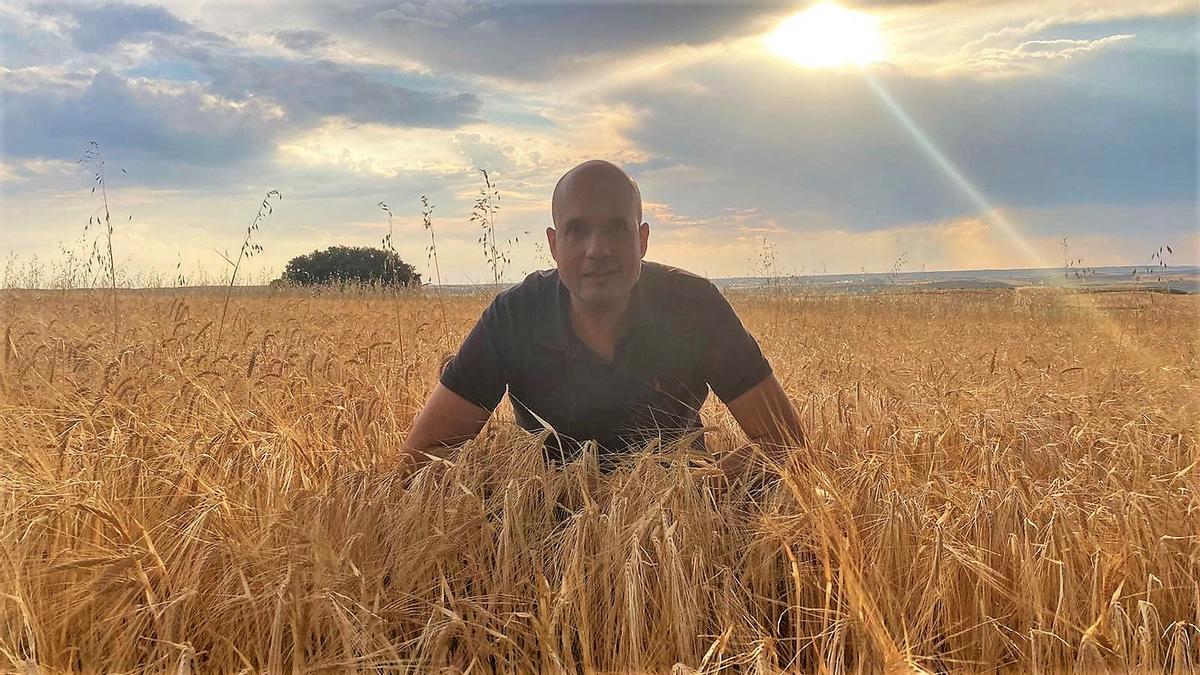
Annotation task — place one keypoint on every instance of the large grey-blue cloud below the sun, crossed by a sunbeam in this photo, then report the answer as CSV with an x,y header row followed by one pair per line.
x,y
791,141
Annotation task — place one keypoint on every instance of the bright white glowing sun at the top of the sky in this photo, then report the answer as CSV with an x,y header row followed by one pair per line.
x,y
827,37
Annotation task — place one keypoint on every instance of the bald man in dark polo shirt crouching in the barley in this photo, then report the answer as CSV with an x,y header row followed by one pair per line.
x,y
607,348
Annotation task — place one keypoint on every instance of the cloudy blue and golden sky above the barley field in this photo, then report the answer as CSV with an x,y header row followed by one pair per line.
x,y
979,136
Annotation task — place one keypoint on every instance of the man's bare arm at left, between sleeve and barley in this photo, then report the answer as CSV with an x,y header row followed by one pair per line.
x,y
446,422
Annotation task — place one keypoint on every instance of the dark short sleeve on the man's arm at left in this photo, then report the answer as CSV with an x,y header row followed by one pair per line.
x,y
477,372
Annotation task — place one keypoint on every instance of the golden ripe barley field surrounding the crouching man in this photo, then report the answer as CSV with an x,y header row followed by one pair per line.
x,y
998,480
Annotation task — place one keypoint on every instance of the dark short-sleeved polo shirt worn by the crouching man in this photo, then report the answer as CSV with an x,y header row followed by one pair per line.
x,y
682,338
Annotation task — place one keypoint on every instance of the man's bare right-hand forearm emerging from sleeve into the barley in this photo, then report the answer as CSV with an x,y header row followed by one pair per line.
x,y
769,420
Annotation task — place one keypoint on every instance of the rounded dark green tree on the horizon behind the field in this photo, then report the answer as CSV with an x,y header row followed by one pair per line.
x,y
351,264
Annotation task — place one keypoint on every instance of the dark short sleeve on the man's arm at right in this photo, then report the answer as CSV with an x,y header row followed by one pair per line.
x,y
734,363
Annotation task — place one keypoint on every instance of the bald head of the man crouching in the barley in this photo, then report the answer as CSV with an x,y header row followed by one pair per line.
x,y
598,238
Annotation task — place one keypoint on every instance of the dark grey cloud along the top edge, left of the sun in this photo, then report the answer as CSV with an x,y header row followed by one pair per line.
x,y
535,40
